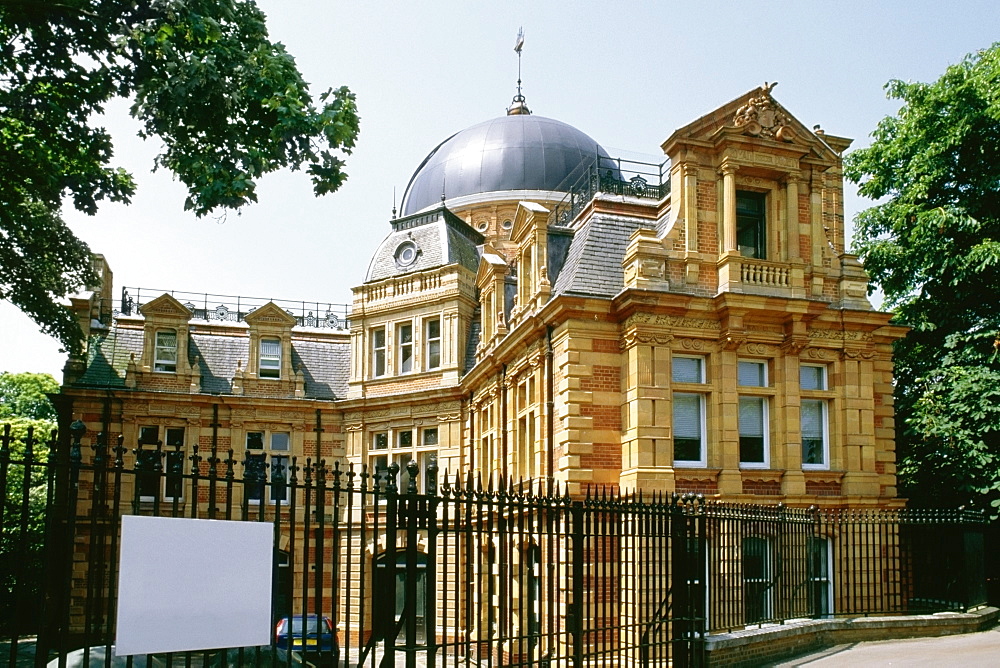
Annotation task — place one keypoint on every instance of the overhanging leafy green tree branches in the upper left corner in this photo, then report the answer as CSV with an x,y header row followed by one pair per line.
x,y
228,105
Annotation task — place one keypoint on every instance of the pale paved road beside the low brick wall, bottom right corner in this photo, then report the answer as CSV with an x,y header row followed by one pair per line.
x,y
971,650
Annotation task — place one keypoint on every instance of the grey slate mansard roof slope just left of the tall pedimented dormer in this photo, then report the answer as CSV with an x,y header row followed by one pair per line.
x,y
593,265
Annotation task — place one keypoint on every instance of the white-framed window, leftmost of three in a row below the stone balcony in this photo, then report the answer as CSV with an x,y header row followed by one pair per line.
x,y
688,411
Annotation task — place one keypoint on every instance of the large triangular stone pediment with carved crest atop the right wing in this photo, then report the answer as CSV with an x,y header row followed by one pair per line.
x,y
757,117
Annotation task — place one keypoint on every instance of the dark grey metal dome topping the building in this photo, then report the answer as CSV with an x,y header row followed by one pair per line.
x,y
519,152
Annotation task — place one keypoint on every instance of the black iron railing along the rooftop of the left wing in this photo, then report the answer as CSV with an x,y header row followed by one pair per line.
x,y
234,308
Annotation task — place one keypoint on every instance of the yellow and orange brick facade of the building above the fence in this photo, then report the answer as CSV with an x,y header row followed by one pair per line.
x,y
533,379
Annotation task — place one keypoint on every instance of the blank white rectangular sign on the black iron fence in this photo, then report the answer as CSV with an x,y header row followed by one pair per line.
x,y
188,584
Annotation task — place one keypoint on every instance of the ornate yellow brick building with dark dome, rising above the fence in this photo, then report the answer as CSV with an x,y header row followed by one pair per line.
x,y
540,313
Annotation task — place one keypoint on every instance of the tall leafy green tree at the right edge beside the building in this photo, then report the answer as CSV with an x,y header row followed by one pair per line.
x,y
933,247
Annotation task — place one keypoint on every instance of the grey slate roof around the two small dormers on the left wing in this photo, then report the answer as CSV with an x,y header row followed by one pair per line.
x,y
324,365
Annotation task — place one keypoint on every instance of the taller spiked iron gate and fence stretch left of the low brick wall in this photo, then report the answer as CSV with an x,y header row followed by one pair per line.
x,y
467,573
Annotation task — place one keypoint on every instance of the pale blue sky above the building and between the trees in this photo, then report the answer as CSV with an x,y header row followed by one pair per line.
x,y
626,73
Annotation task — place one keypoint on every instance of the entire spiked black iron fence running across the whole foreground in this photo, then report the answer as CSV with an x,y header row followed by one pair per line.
x,y
458,573
